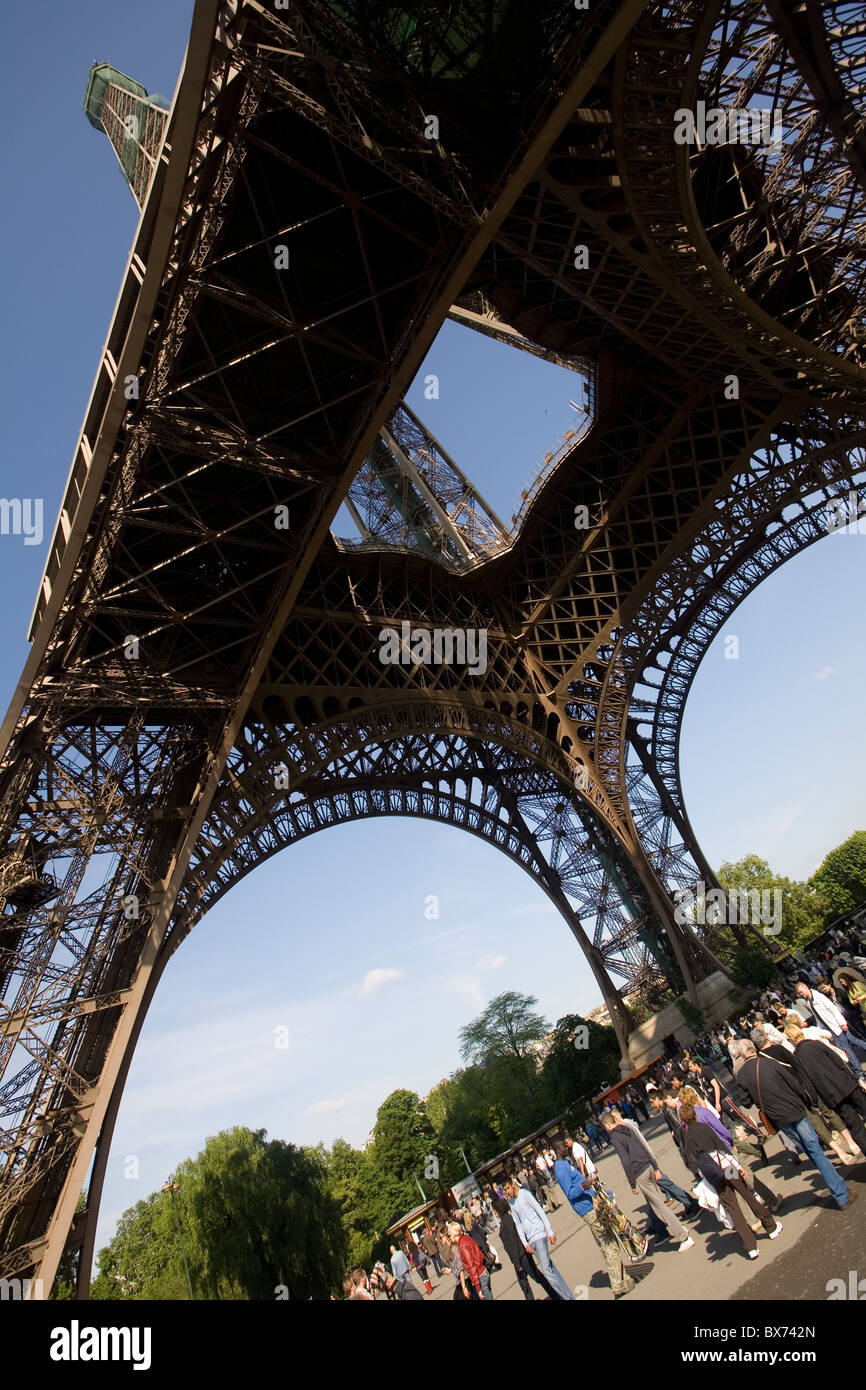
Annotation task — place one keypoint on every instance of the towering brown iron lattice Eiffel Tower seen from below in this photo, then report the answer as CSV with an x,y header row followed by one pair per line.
x,y
206,682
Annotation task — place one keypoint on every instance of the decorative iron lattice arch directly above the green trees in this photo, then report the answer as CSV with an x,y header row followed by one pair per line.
x,y
503,794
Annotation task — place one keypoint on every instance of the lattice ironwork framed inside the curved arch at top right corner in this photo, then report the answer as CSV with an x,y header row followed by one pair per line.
x,y
787,216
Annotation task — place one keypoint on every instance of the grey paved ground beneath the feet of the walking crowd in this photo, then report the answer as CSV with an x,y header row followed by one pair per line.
x,y
818,1242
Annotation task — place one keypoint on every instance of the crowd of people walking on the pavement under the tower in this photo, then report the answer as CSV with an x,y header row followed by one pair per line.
x,y
790,1067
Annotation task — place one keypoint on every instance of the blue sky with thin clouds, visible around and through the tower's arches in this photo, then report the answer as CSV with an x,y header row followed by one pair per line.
x,y
330,942
